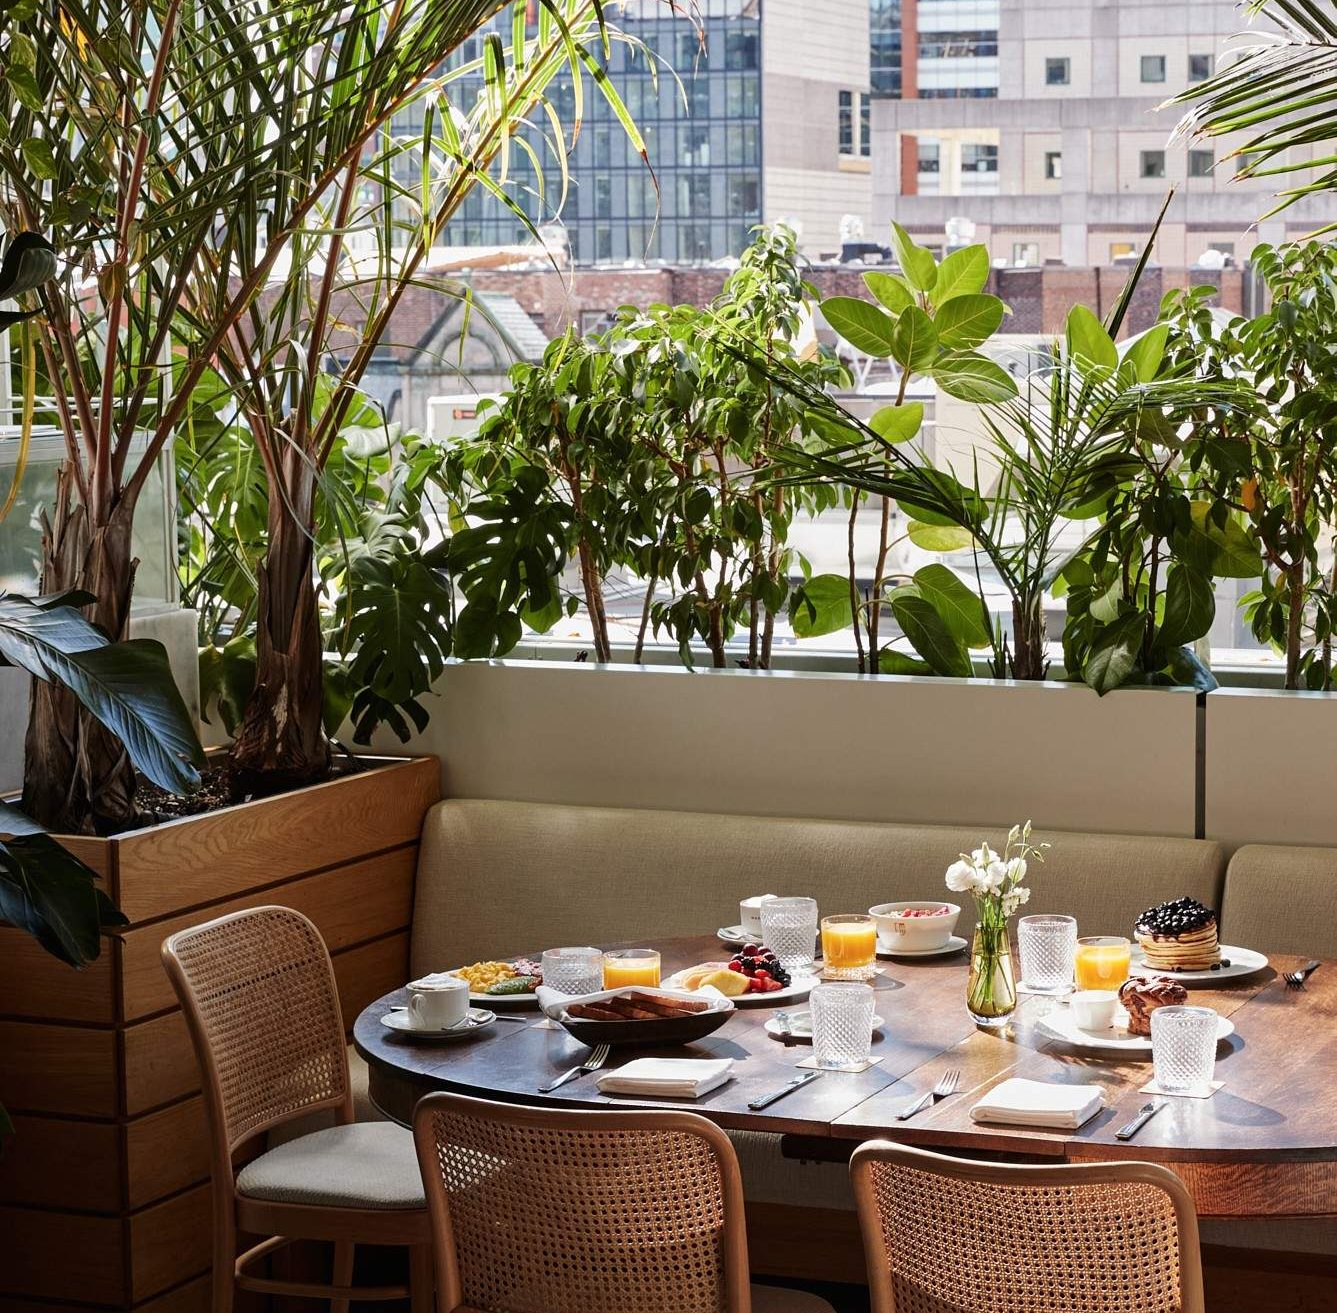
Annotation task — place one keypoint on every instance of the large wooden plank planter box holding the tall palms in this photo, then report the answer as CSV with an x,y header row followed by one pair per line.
x,y
105,1191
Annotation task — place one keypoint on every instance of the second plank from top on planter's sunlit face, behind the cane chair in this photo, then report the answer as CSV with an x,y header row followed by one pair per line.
x,y
350,905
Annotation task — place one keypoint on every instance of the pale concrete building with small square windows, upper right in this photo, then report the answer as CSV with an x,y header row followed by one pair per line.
x,y
1040,121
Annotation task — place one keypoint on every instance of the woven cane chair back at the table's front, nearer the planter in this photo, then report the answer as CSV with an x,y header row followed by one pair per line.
x,y
569,1212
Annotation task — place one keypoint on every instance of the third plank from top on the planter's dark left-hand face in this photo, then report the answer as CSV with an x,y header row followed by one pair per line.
x,y
58,1069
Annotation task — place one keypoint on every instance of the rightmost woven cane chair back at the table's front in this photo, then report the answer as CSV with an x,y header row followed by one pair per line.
x,y
947,1236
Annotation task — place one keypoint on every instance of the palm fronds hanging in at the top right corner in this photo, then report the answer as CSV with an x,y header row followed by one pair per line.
x,y
1275,97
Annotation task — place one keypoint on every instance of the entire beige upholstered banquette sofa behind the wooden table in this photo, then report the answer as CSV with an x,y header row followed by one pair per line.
x,y
499,878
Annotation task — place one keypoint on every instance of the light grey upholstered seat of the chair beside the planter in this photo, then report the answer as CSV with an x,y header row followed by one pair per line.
x,y
366,1165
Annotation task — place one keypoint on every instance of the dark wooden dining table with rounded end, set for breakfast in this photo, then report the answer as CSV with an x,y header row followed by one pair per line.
x,y
1265,1145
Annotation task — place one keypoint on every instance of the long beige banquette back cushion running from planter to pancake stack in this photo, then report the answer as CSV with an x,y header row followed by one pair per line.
x,y
506,878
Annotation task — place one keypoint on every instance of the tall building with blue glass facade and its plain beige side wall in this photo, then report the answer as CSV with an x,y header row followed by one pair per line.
x,y
768,118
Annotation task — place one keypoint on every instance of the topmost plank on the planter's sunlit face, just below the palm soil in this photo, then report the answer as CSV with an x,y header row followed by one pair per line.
x,y
203,860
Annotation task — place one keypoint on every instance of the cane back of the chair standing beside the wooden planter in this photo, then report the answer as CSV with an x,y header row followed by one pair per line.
x,y
259,993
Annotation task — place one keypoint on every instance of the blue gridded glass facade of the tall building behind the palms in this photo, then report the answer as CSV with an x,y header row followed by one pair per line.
x,y
703,136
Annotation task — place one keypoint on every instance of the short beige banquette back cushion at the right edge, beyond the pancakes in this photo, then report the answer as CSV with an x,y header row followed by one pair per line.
x,y
1280,901
